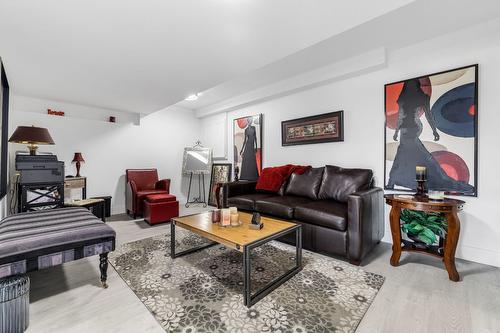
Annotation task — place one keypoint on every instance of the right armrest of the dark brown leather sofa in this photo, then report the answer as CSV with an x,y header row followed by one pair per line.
x,y
365,222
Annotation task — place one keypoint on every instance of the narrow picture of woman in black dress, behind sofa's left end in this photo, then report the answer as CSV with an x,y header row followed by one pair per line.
x,y
247,141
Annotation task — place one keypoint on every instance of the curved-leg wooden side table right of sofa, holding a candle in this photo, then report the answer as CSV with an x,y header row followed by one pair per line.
x,y
448,207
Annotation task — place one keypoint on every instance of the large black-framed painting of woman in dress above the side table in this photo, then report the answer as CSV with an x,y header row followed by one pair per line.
x,y
432,121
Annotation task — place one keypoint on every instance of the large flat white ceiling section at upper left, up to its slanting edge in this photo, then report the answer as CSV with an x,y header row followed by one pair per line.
x,y
145,55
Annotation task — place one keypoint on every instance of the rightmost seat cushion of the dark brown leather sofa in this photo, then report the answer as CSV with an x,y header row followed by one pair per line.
x,y
326,213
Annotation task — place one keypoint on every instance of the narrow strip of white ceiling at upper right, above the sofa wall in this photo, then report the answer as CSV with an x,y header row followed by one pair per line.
x,y
407,25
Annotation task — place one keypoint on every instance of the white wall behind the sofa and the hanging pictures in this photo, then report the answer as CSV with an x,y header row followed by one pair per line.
x,y
362,99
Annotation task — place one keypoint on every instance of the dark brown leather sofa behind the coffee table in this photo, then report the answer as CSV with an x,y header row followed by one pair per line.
x,y
340,210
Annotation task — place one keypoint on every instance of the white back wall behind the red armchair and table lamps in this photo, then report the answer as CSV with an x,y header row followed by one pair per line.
x,y
110,148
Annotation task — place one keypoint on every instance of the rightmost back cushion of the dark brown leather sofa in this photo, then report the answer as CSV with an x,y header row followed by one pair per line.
x,y
338,183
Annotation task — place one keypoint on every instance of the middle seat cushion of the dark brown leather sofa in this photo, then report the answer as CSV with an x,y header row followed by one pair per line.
x,y
280,206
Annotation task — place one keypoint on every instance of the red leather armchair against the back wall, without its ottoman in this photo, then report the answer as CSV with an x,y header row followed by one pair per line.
x,y
140,183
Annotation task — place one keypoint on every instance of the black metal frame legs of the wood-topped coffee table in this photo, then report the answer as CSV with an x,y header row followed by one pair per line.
x,y
250,299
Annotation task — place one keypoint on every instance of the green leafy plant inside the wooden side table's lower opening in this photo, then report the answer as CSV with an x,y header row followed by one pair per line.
x,y
423,227
